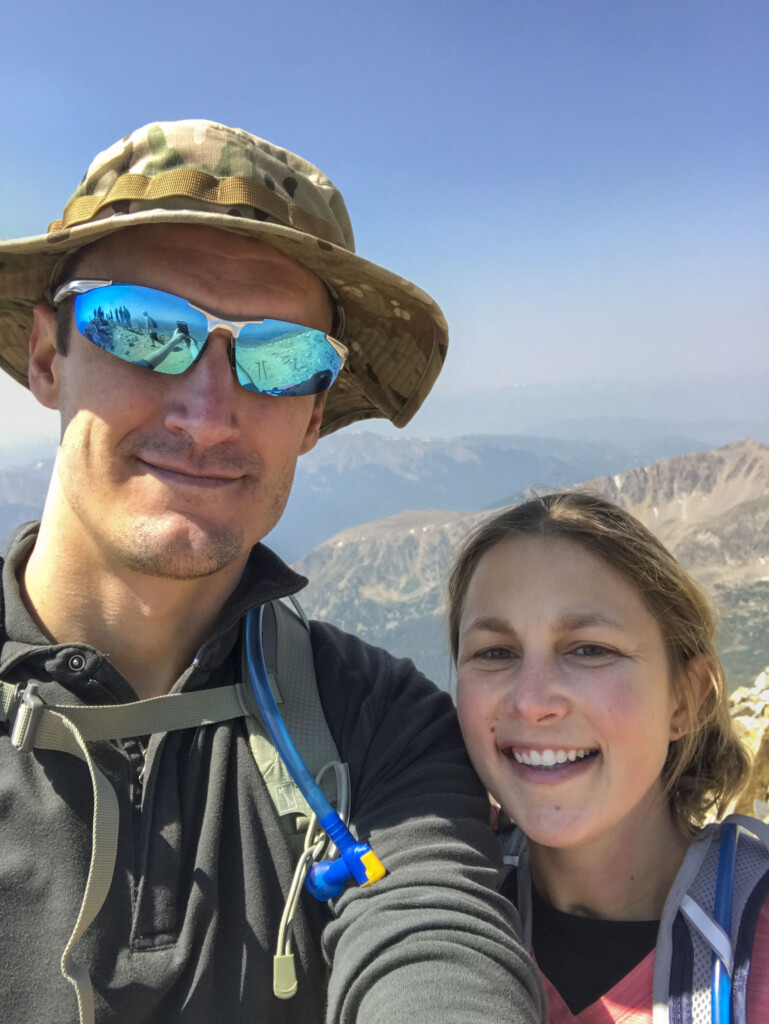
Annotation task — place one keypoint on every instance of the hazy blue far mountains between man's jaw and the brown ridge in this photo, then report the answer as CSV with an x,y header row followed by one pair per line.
x,y
352,479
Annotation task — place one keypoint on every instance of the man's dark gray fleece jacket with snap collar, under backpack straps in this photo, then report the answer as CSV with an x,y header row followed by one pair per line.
x,y
190,926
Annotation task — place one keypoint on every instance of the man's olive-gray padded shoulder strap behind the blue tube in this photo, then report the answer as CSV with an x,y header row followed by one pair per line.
x,y
288,655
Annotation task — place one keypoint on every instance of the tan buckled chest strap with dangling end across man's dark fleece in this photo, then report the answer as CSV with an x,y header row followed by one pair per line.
x,y
67,729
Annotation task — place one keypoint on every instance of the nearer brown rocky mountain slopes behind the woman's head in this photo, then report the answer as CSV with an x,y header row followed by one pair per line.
x,y
386,581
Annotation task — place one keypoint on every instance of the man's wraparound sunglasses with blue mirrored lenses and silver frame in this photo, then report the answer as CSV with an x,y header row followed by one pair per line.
x,y
164,332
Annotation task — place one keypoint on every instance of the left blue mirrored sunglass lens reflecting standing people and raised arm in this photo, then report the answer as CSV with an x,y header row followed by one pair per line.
x,y
143,326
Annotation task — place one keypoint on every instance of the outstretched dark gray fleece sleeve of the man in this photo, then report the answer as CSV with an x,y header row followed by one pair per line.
x,y
434,942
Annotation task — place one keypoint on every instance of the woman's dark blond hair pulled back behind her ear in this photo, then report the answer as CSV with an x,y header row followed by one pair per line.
x,y
707,767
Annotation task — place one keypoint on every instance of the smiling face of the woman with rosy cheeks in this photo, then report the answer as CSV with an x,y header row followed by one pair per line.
x,y
564,692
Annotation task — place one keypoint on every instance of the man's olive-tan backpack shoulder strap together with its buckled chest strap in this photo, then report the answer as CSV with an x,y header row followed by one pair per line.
x,y
69,729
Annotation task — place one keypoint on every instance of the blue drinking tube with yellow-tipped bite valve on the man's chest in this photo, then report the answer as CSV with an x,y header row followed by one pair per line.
x,y
357,861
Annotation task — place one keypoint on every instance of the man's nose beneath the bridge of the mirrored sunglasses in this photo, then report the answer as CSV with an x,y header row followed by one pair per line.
x,y
203,401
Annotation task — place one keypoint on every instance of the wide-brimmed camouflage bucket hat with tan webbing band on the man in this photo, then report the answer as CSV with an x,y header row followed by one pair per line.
x,y
199,173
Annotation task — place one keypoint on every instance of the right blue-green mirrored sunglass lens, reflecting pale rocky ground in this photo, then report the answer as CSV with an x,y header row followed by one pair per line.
x,y
280,359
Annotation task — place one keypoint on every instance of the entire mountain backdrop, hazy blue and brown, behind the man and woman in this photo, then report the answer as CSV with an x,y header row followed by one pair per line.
x,y
386,580
